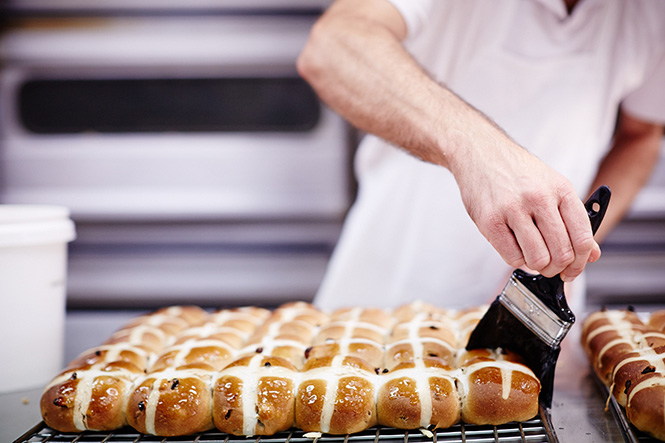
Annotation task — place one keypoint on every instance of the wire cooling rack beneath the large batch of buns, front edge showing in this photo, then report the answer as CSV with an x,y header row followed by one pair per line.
x,y
537,430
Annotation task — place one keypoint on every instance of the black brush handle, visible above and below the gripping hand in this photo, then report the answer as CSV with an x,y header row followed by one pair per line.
x,y
550,289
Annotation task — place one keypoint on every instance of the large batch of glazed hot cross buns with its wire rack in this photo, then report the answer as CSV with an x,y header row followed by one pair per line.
x,y
294,373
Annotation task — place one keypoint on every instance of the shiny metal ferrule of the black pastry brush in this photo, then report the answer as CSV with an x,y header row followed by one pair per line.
x,y
533,313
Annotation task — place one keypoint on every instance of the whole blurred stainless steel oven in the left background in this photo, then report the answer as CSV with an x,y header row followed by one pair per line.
x,y
197,164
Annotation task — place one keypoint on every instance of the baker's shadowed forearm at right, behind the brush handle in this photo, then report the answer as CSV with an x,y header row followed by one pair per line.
x,y
627,167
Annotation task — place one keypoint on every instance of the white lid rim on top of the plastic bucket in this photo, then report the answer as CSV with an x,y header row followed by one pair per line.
x,y
35,224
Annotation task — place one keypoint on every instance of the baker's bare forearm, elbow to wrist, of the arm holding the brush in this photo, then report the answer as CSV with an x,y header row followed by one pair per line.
x,y
358,66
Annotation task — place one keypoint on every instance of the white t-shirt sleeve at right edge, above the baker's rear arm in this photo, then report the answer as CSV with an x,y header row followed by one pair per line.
x,y
648,100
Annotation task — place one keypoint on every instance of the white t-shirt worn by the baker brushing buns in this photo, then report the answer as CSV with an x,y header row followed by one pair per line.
x,y
554,82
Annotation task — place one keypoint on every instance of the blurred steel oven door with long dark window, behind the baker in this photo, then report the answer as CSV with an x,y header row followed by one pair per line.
x,y
174,117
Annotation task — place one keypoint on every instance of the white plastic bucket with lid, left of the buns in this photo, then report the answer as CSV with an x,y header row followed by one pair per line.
x,y
33,277
